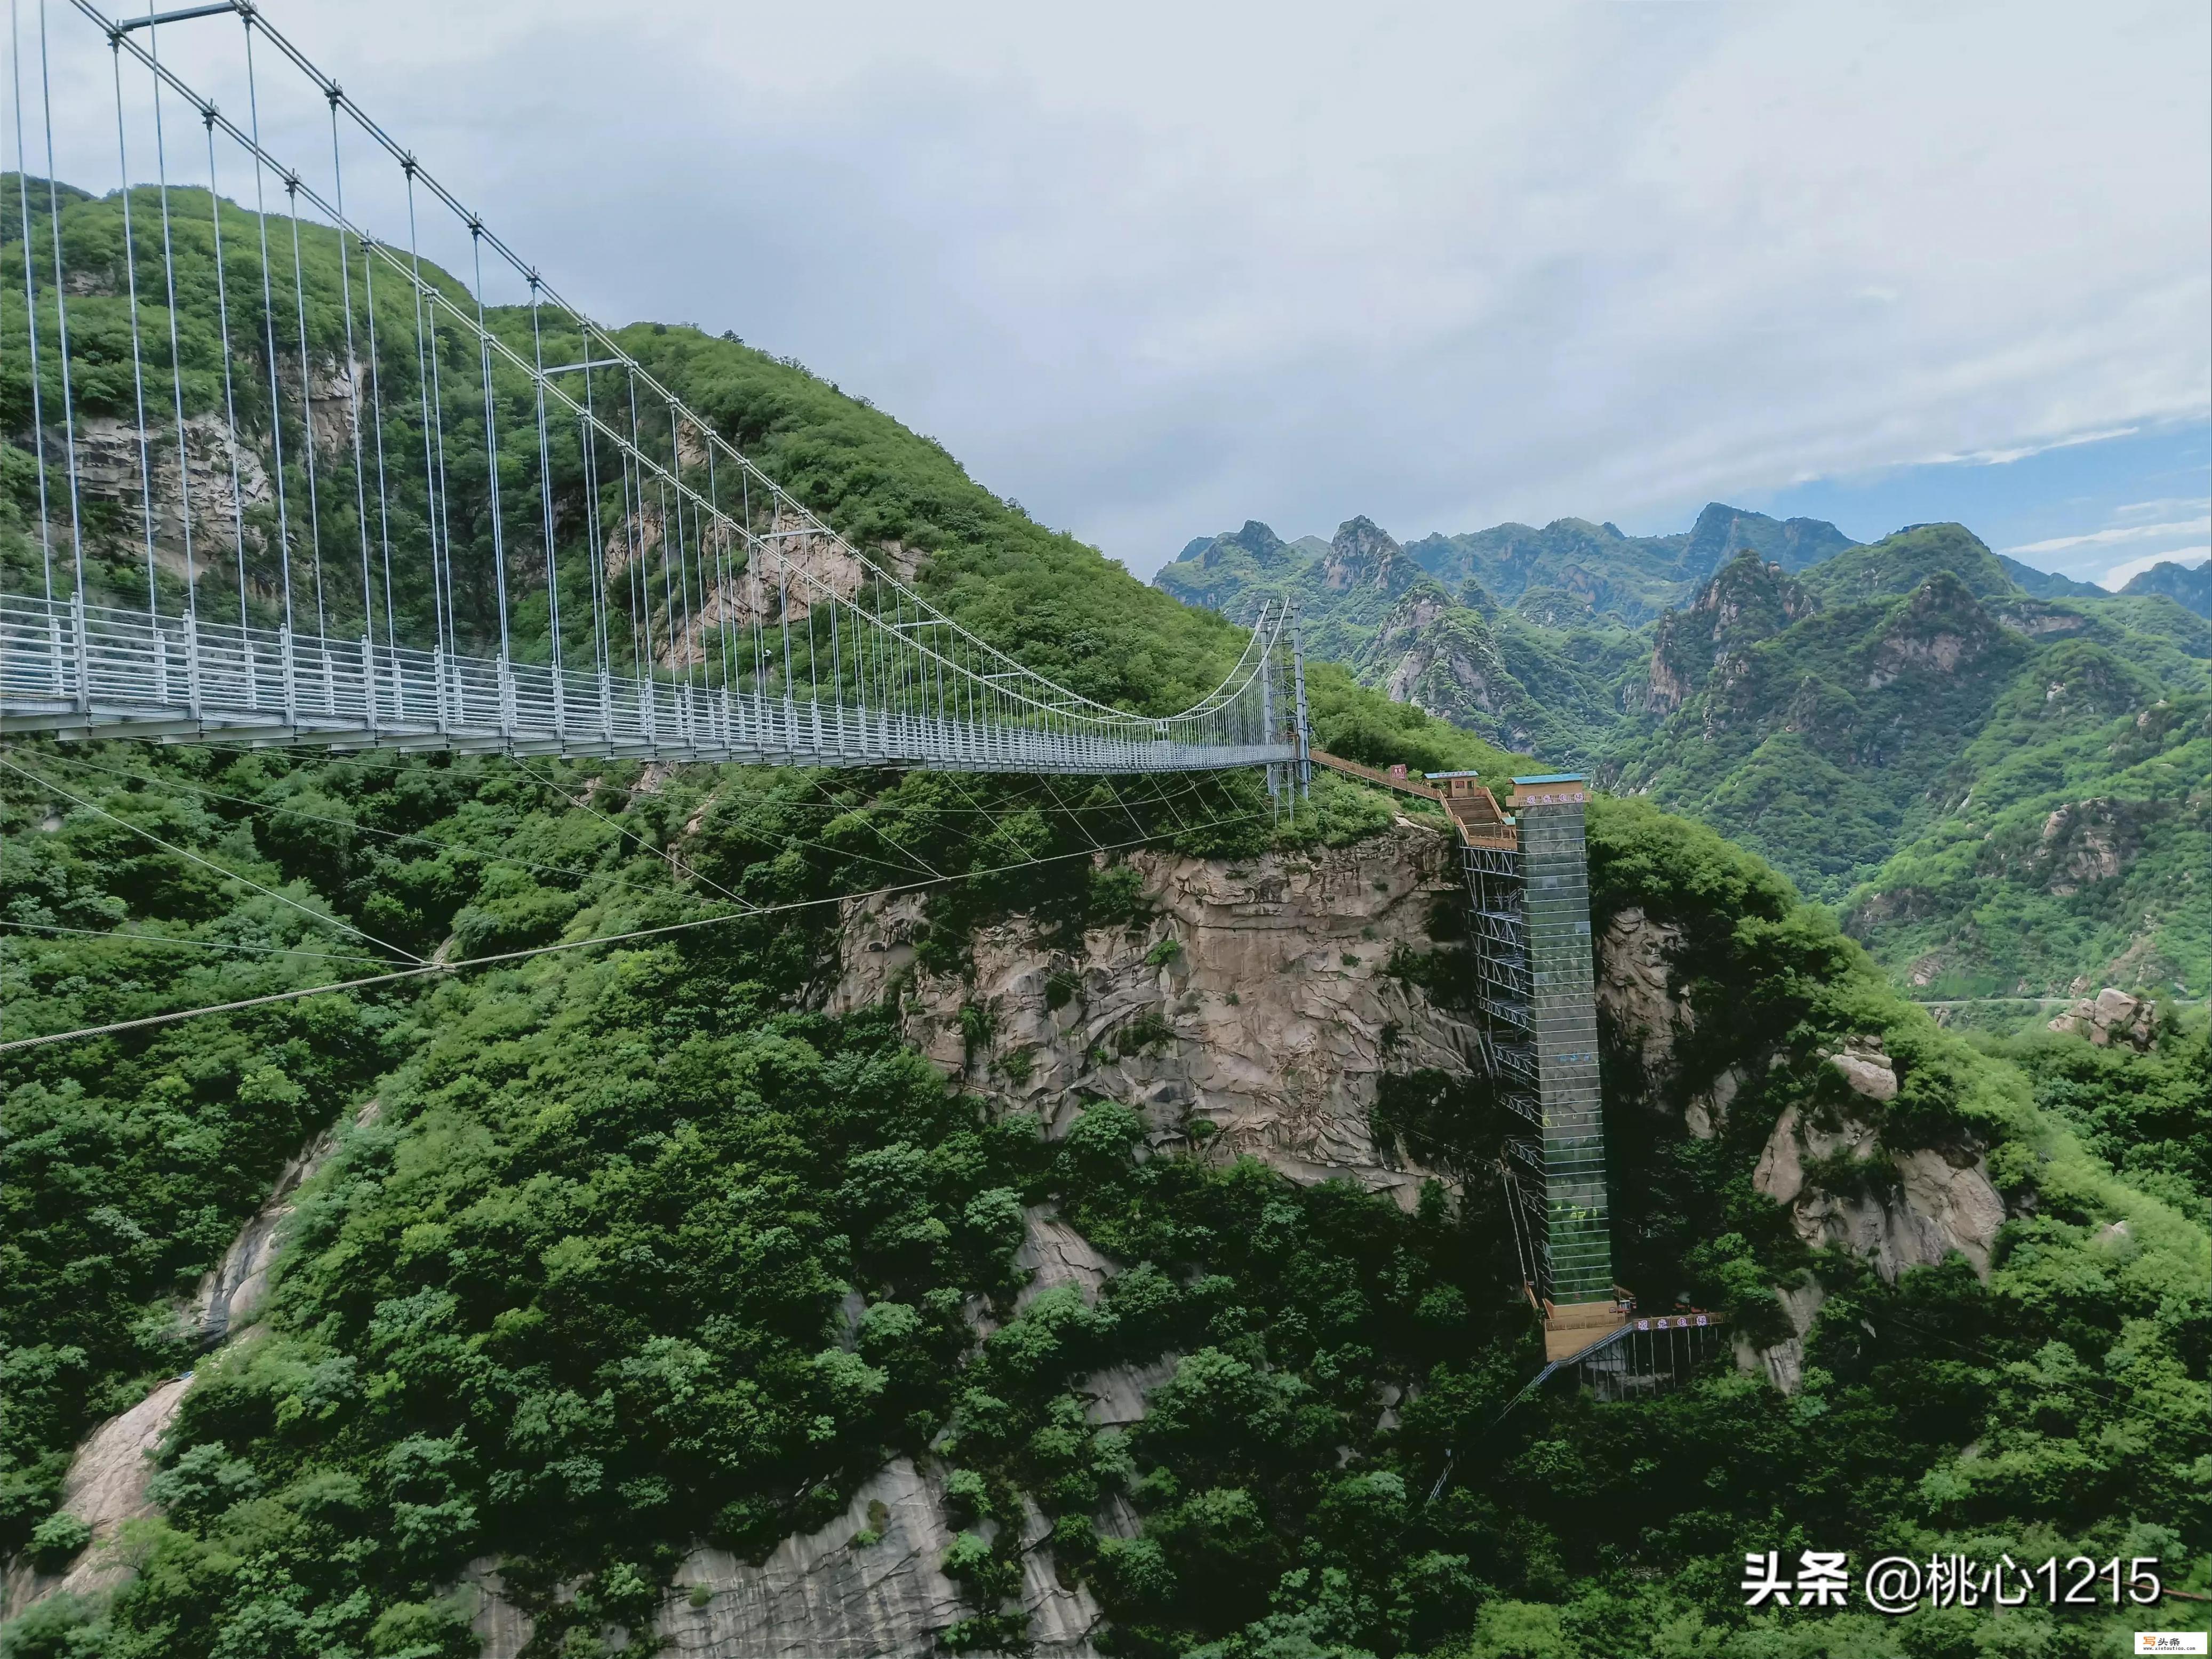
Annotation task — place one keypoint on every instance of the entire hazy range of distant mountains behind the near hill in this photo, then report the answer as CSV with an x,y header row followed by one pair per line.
x,y
1919,729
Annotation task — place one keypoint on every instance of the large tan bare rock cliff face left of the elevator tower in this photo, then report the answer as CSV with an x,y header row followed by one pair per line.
x,y
1253,1012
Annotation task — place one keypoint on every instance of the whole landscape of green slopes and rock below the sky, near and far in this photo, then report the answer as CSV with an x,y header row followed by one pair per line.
x,y
1094,1249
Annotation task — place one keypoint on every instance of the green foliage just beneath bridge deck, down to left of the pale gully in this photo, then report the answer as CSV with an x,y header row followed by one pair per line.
x,y
134,1158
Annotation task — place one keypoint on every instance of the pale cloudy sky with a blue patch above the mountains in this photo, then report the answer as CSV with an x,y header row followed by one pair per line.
x,y
1160,269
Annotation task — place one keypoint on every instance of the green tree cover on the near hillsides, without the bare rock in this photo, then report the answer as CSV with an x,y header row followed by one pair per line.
x,y
629,1249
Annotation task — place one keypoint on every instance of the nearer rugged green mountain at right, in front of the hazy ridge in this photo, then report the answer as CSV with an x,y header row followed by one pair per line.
x,y
1872,720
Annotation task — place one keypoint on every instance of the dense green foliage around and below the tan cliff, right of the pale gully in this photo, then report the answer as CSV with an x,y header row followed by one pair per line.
x,y
578,1297
